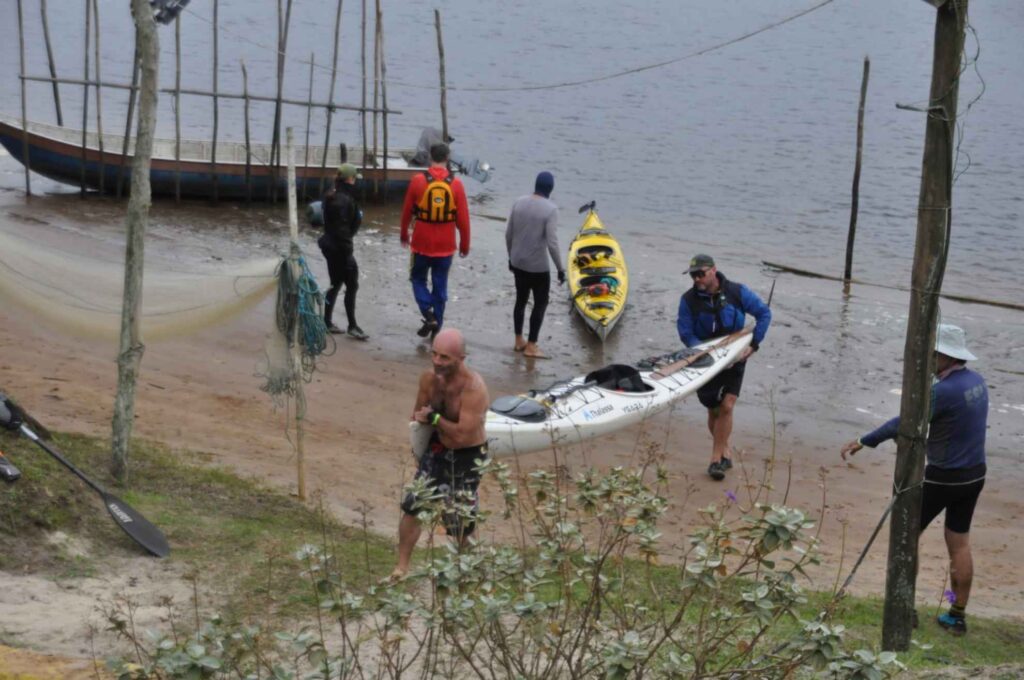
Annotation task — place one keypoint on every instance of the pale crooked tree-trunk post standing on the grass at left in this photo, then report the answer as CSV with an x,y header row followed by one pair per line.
x,y
131,355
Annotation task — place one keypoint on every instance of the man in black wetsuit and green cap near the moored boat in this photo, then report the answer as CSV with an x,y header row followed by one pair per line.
x,y
343,219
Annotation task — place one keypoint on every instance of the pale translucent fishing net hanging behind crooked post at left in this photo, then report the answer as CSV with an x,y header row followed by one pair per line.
x,y
83,296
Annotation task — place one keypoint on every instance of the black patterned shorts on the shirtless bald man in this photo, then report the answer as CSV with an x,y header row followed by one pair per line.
x,y
454,475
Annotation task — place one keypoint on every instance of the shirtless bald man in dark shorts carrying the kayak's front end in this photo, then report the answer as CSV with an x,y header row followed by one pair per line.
x,y
454,400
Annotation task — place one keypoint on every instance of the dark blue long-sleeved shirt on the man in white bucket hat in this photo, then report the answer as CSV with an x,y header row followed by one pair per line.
x,y
960,416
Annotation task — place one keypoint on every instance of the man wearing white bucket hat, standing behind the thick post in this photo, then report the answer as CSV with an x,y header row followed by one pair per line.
x,y
955,475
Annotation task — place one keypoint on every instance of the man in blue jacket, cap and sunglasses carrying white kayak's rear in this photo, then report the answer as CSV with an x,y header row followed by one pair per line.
x,y
714,308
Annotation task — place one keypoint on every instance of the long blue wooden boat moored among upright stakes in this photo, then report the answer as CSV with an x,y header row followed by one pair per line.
x,y
57,153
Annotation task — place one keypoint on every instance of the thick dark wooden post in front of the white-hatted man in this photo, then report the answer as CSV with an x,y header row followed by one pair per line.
x,y
934,218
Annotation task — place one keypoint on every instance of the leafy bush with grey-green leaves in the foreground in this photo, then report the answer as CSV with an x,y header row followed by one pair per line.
x,y
582,603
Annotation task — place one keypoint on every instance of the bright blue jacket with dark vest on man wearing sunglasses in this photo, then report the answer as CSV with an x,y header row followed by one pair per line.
x,y
721,315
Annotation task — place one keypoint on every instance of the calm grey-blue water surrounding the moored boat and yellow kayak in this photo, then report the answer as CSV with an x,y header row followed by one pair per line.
x,y
746,153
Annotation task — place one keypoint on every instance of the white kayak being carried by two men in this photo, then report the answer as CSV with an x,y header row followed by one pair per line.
x,y
603,402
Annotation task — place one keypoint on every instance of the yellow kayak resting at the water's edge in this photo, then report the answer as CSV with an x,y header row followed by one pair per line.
x,y
598,276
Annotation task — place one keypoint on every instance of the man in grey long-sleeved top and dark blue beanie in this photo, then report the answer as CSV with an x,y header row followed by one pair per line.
x,y
531,237
